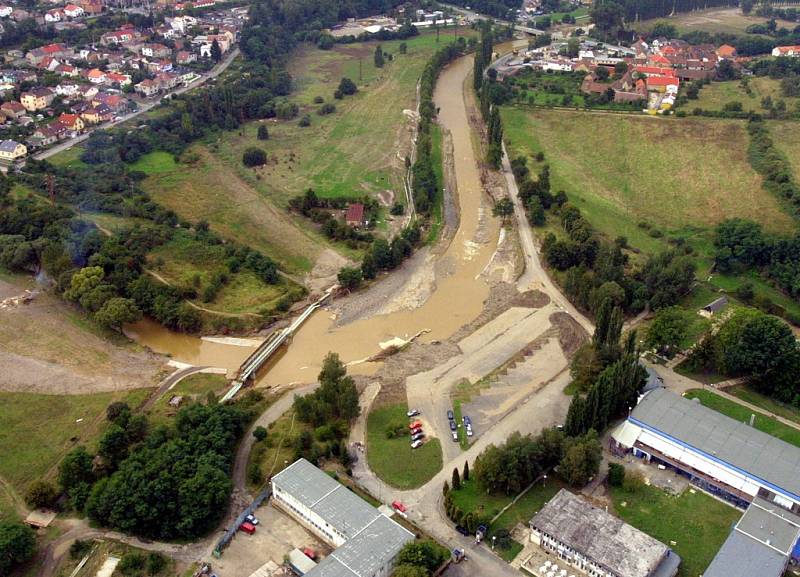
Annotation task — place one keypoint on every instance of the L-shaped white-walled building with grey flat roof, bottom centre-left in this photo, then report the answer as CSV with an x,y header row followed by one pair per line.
x,y
366,542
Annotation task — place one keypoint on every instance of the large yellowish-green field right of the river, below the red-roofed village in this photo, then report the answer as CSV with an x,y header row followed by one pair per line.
x,y
672,175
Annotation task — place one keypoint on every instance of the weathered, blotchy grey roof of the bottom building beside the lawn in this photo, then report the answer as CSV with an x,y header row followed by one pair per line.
x,y
600,536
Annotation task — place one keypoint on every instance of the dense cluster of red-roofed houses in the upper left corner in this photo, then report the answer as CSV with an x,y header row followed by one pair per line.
x,y
58,91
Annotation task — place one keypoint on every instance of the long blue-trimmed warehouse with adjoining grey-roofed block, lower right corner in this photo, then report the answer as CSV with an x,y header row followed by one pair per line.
x,y
730,459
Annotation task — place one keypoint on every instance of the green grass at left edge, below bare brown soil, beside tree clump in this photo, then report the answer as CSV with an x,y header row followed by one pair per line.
x,y
37,430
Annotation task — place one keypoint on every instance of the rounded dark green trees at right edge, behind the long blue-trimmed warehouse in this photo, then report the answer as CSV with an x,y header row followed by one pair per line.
x,y
757,346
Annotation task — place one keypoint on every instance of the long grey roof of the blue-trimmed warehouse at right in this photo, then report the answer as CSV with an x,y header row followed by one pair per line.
x,y
737,444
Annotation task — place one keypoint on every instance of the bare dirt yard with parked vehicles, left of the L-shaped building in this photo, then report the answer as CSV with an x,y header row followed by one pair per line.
x,y
276,535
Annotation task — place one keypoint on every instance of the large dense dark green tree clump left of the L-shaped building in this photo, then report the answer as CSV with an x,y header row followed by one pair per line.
x,y
166,483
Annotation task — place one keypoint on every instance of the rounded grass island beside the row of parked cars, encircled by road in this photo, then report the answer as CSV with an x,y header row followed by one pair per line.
x,y
393,460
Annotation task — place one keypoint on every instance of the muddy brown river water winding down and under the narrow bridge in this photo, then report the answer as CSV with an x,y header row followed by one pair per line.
x,y
457,299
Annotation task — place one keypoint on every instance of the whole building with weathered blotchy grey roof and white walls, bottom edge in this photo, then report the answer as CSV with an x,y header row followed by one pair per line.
x,y
597,543
